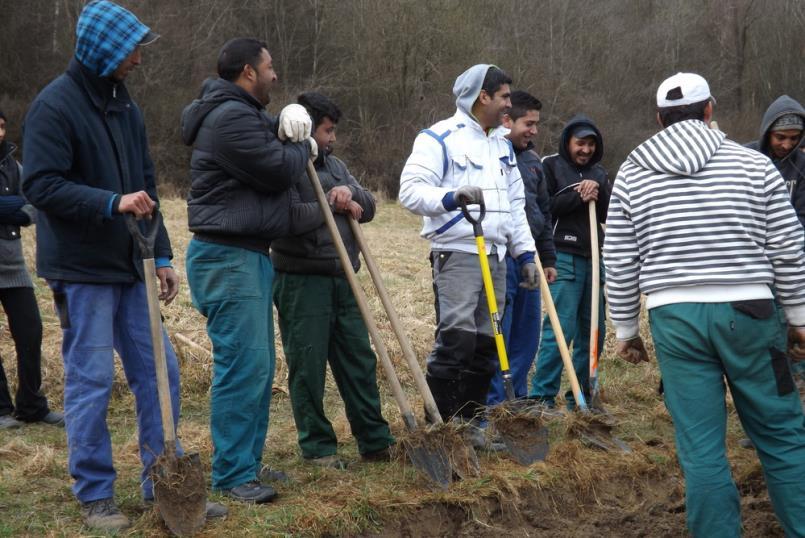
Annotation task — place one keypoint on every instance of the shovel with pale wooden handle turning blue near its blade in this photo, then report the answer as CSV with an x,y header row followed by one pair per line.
x,y
592,428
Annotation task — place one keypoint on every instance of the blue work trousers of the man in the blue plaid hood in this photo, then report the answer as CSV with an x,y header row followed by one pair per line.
x,y
97,318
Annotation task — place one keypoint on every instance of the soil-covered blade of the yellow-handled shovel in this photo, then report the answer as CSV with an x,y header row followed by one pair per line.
x,y
521,428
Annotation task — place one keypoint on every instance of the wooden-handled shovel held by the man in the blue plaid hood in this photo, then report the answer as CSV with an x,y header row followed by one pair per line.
x,y
179,487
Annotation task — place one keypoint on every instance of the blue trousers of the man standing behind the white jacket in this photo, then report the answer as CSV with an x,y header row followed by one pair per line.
x,y
521,328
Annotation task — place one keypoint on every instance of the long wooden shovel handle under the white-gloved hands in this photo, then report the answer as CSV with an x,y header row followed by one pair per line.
x,y
360,298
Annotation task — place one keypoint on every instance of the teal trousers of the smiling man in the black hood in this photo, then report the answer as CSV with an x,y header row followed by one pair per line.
x,y
572,293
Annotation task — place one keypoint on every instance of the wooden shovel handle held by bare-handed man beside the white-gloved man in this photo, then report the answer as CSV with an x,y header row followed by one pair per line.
x,y
405,343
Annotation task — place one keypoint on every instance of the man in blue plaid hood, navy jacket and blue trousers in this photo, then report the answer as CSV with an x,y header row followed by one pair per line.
x,y
87,166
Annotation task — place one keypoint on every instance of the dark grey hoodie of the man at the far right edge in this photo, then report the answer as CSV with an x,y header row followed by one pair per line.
x,y
792,166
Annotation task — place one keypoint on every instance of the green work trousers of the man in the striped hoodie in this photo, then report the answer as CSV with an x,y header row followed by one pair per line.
x,y
698,346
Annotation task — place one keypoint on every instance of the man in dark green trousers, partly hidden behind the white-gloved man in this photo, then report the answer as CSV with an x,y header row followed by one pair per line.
x,y
319,318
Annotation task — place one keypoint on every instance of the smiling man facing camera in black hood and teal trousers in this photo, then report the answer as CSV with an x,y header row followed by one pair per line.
x,y
575,178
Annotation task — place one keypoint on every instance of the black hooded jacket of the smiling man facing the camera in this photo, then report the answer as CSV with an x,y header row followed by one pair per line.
x,y
571,222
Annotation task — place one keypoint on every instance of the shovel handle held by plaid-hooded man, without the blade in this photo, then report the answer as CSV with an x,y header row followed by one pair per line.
x,y
145,243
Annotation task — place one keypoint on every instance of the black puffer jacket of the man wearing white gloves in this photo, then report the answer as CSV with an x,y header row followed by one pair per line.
x,y
240,171
